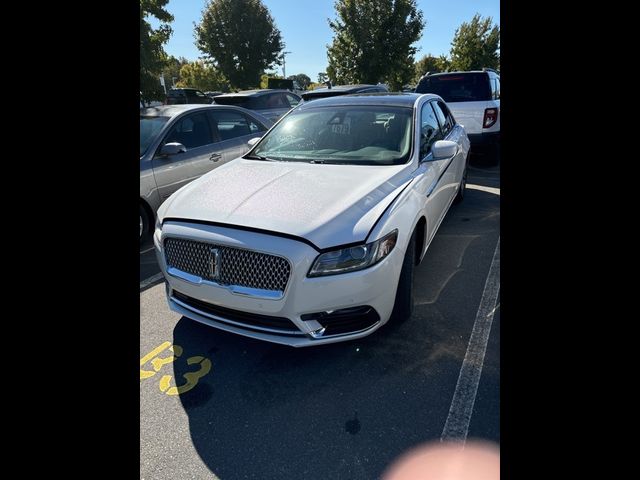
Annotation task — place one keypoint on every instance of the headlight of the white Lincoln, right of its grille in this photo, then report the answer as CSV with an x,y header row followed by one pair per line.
x,y
353,258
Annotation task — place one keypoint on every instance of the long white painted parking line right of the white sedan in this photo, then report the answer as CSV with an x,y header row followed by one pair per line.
x,y
457,425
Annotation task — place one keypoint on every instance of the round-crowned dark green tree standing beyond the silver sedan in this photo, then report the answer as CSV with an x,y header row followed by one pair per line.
x,y
241,39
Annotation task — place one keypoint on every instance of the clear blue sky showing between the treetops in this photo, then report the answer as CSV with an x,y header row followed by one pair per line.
x,y
305,30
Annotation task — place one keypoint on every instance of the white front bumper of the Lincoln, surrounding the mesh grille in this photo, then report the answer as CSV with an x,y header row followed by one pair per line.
x,y
304,298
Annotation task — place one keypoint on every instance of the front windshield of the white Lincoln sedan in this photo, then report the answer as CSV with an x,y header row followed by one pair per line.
x,y
345,134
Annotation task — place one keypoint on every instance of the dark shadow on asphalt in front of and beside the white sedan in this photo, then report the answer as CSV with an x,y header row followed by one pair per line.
x,y
345,410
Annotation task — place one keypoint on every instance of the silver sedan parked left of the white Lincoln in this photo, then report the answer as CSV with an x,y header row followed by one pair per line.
x,y
179,143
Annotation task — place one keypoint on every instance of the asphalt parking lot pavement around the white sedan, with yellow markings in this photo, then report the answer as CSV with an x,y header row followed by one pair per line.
x,y
230,407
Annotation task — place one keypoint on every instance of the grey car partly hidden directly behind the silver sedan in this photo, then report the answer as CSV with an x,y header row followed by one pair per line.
x,y
270,103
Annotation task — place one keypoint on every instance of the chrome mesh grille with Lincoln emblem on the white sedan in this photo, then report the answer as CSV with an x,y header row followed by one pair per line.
x,y
236,266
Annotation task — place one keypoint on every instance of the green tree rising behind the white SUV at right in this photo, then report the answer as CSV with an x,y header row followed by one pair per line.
x,y
475,45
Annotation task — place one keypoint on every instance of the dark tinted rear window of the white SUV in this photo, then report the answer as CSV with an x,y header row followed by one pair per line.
x,y
467,87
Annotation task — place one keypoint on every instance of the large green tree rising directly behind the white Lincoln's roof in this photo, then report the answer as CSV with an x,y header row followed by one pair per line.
x,y
373,41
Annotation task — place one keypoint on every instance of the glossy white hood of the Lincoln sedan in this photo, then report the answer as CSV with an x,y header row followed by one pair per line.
x,y
327,205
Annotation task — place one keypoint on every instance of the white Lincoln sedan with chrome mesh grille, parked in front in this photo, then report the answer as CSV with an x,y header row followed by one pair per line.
x,y
313,235
